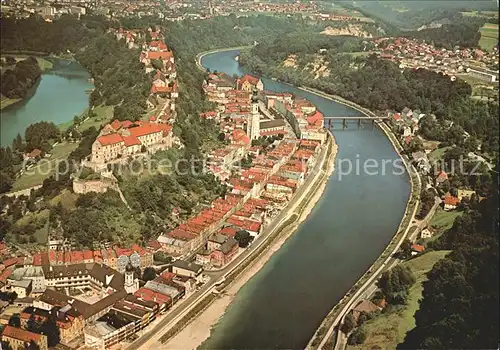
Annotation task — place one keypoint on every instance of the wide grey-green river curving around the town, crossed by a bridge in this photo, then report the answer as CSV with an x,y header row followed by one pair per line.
x,y
358,214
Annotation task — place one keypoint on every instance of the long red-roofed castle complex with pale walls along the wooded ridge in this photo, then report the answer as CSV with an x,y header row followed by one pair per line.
x,y
120,141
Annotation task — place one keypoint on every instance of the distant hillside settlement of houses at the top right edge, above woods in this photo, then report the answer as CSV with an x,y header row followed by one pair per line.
x,y
411,53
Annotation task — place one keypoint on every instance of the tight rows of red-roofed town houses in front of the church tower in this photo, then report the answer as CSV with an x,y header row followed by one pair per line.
x,y
256,195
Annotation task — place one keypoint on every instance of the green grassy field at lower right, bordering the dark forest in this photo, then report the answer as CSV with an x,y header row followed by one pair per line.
x,y
389,329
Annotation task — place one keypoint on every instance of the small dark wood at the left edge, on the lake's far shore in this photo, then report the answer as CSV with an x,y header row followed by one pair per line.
x,y
16,82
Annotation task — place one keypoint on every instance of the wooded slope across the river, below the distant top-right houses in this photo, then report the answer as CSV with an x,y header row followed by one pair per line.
x,y
378,84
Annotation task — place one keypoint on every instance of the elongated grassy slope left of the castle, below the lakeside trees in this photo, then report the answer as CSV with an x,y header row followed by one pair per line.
x,y
45,167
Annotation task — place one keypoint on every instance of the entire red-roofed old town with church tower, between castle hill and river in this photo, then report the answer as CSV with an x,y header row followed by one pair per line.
x,y
258,190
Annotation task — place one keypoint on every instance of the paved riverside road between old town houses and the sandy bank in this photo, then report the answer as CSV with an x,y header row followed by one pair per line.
x,y
194,298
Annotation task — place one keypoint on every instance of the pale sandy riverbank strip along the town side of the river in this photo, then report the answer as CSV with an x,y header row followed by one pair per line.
x,y
194,334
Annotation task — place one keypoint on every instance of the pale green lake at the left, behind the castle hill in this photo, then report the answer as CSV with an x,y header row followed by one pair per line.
x,y
57,97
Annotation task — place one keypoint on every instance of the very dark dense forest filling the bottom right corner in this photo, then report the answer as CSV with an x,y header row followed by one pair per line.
x,y
459,309
